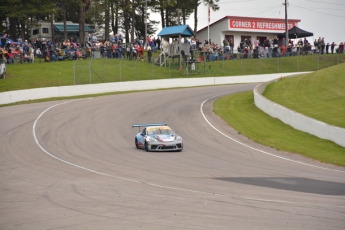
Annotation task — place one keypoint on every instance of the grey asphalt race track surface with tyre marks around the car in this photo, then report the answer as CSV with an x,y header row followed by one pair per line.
x,y
73,165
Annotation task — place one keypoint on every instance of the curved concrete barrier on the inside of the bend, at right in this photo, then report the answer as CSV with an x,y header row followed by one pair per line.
x,y
297,120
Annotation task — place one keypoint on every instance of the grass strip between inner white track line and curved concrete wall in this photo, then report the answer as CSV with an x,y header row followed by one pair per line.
x,y
240,112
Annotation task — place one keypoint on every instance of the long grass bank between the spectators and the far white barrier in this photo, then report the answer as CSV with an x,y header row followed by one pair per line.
x,y
48,74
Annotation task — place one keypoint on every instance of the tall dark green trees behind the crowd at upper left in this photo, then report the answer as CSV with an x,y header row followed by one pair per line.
x,y
125,16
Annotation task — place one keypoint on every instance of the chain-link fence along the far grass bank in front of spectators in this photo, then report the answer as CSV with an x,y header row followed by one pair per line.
x,y
100,69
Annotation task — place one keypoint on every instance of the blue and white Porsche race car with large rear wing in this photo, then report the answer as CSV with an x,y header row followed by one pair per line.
x,y
157,137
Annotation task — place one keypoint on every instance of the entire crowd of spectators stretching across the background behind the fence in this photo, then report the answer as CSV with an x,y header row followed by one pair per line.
x,y
26,51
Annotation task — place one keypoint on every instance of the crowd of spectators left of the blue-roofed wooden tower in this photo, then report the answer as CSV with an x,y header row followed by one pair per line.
x,y
46,50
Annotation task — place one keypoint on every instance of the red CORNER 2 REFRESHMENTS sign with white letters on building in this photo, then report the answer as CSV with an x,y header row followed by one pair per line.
x,y
260,24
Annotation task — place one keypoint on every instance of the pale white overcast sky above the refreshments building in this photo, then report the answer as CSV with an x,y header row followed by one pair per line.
x,y
324,18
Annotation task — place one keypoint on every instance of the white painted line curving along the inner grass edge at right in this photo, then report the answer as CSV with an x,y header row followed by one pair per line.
x,y
248,146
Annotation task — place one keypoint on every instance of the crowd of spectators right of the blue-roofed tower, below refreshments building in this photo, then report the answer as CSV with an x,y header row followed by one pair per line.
x,y
265,48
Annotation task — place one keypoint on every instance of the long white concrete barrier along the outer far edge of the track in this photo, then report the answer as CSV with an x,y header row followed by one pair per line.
x,y
77,90
